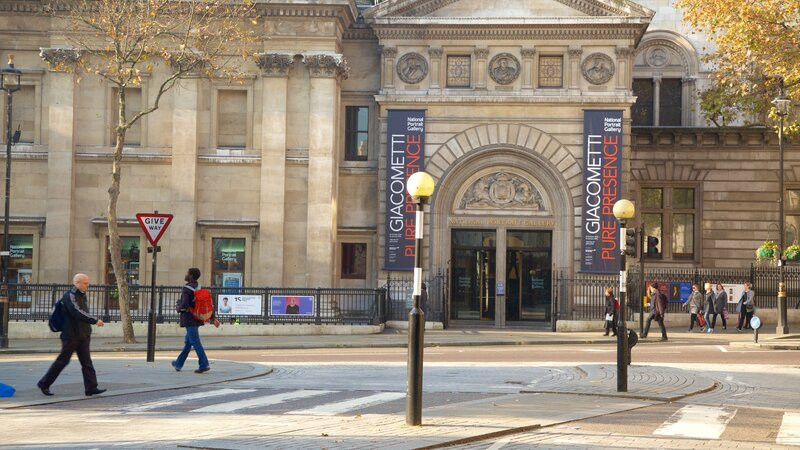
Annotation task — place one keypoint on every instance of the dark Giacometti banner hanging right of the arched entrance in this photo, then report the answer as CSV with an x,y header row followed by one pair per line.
x,y
602,187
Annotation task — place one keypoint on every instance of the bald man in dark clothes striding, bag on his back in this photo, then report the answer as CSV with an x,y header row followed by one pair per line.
x,y
75,337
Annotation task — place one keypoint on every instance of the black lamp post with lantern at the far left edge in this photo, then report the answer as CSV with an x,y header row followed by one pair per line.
x,y
10,78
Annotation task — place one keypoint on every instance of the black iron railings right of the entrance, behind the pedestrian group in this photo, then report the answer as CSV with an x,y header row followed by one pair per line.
x,y
586,291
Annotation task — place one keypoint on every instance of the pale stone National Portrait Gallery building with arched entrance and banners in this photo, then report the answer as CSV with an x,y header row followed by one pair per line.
x,y
532,116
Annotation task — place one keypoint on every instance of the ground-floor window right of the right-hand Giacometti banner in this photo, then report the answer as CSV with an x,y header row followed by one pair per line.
x,y
669,215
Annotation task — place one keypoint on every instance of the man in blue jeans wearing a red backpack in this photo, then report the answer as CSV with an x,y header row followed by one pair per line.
x,y
195,309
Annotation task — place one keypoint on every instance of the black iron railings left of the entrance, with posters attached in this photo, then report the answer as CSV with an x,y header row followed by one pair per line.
x,y
33,302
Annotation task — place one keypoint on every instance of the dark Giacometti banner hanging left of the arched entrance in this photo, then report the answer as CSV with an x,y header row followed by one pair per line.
x,y
405,135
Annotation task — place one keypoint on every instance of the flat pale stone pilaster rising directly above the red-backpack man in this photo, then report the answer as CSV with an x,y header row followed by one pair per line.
x,y
180,253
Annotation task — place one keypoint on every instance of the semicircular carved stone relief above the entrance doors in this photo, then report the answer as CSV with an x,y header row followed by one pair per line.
x,y
502,190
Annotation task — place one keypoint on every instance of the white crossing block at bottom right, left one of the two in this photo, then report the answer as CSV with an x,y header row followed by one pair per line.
x,y
696,421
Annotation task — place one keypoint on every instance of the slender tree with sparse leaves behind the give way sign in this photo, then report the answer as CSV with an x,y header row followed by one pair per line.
x,y
122,41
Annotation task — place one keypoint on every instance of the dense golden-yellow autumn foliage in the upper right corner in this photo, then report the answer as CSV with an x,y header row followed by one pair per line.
x,y
757,46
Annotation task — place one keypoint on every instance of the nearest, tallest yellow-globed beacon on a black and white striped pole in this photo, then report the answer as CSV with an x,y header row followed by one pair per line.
x,y
420,187
